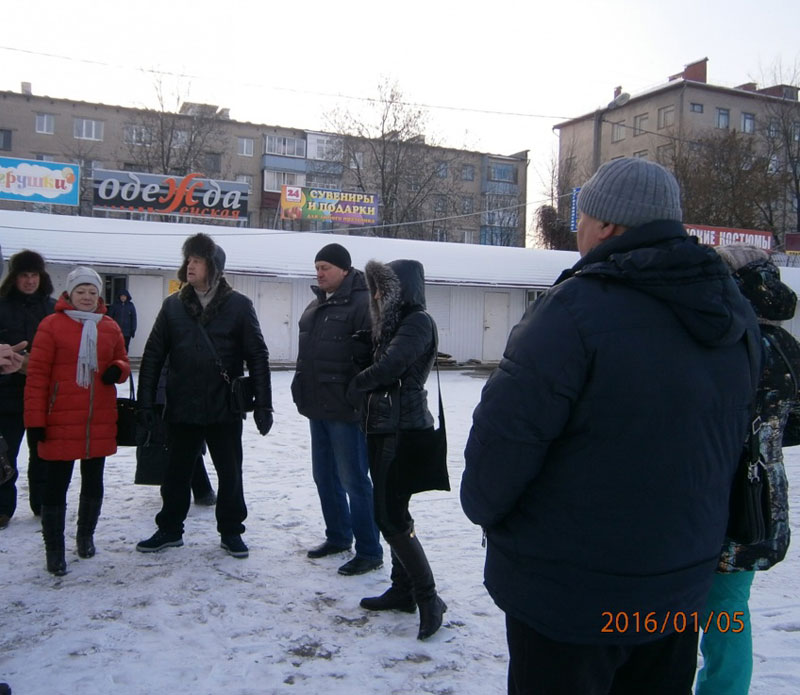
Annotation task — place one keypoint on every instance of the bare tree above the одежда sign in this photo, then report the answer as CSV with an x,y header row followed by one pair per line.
x,y
176,137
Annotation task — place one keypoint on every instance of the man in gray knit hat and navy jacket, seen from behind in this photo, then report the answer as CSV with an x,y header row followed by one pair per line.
x,y
602,451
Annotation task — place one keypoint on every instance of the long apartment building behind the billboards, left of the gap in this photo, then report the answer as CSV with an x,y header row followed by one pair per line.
x,y
452,195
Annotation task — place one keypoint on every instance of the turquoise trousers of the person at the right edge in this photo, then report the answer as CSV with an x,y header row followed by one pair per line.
x,y
727,654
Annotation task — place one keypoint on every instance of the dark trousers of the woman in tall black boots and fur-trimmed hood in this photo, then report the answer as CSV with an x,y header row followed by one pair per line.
x,y
391,506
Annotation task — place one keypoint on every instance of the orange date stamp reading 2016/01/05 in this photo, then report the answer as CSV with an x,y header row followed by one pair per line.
x,y
678,621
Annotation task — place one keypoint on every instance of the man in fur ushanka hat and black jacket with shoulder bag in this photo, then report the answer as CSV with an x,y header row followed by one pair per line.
x,y
207,330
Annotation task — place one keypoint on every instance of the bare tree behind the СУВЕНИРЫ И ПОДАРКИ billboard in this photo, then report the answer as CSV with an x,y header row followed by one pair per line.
x,y
385,152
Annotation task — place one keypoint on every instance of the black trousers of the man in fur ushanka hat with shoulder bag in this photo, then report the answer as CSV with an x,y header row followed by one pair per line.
x,y
224,442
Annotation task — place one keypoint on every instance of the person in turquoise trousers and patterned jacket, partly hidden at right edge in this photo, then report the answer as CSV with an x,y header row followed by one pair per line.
x,y
728,656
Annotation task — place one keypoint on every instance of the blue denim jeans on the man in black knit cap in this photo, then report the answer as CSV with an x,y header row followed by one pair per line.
x,y
341,473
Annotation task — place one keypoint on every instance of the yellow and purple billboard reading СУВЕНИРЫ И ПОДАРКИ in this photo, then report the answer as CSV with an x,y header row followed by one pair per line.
x,y
330,206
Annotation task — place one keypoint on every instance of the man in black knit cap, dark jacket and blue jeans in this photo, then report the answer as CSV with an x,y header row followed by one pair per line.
x,y
326,362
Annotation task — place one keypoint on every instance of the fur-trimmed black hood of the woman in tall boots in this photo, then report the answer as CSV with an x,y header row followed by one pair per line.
x,y
401,286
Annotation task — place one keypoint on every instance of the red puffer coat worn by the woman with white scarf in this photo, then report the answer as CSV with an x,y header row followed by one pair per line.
x,y
80,422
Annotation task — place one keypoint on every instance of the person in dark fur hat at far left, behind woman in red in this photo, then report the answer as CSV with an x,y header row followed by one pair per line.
x,y
24,301
